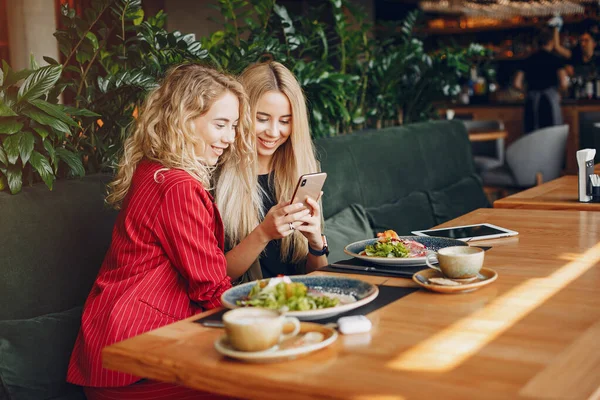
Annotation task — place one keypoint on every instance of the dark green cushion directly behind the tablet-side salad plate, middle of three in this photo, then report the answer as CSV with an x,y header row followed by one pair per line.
x,y
410,213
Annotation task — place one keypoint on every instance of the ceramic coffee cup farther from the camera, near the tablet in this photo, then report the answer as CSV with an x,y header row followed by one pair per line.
x,y
457,262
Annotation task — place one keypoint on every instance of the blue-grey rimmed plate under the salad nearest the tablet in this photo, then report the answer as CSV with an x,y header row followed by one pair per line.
x,y
430,243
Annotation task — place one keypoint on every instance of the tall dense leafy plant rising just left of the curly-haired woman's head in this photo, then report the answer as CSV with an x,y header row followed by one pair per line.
x,y
113,57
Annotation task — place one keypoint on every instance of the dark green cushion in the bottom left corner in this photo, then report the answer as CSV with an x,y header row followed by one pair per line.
x,y
34,356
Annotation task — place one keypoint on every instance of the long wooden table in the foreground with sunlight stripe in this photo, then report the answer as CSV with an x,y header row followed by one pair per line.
x,y
532,333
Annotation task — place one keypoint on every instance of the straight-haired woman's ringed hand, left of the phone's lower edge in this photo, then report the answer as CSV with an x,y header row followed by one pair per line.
x,y
280,218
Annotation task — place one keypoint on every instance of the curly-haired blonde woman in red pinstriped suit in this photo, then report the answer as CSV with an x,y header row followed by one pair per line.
x,y
166,261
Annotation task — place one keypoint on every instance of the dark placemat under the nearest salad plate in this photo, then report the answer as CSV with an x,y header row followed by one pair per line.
x,y
387,295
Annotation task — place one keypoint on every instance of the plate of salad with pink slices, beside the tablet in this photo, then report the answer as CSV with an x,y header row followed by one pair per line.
x,y
401,251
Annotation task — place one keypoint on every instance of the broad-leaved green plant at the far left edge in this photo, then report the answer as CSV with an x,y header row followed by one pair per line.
x,y
35,131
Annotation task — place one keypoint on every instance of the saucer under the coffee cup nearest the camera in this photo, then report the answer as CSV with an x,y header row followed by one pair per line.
x,y
311,337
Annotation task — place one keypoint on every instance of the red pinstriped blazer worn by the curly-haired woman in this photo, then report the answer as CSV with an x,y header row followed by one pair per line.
x,y
165,263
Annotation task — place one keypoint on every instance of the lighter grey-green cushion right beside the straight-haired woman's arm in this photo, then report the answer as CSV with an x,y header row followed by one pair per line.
x,y
348,226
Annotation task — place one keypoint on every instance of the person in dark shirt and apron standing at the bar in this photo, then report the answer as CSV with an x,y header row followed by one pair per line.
x,y
545,75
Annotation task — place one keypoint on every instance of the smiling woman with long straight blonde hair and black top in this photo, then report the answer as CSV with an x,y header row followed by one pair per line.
x,y
285,238
